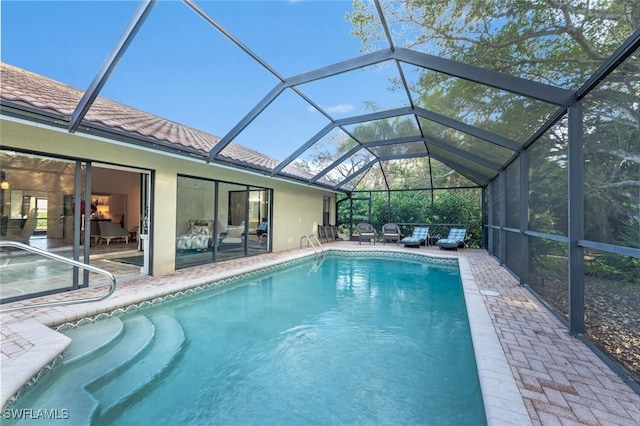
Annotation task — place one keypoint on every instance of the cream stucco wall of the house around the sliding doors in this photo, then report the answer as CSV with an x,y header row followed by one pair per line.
x,y
297,208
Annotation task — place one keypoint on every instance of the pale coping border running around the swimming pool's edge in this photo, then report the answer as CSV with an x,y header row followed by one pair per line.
x,y
502,400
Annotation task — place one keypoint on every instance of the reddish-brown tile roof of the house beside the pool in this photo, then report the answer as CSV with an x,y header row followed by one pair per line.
x,y
24,88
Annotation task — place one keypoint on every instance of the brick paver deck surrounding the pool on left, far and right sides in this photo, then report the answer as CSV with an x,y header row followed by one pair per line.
x,y
560,380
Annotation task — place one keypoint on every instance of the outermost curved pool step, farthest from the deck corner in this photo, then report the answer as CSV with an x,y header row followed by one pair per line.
x,y
156,358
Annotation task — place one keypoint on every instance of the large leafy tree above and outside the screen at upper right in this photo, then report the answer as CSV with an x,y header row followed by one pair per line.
x,y
555,42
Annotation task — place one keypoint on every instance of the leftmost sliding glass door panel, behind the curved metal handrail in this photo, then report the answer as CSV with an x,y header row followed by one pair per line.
x,y
32,187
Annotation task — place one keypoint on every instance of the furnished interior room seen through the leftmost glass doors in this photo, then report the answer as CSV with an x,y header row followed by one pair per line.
x,y
37,203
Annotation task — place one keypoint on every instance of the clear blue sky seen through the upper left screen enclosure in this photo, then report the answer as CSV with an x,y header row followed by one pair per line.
x,y
181,68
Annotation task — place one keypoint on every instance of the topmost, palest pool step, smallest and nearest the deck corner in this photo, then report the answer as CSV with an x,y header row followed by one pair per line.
x,y
89,338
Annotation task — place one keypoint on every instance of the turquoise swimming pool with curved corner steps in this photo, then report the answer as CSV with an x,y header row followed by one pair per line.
x,y
360,340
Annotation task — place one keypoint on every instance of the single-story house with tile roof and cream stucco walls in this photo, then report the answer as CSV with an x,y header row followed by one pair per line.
x,y
149,174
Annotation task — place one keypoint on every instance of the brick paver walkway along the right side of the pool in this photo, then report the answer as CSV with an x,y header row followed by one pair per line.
x,y
560,379
